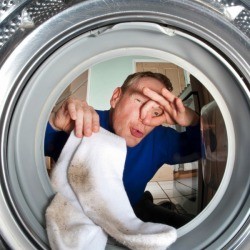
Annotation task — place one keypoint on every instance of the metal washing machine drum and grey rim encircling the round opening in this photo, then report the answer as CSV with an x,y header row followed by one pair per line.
x,y
45,45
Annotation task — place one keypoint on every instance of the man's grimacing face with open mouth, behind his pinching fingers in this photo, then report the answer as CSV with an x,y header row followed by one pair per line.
x,y
126,115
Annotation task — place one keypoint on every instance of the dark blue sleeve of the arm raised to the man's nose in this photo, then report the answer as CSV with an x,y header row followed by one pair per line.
x,y
180,147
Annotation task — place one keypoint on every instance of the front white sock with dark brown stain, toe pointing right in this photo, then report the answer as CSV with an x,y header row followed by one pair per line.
x,y
95,174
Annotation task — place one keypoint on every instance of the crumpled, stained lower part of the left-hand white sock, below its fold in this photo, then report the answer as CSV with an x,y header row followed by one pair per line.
x,y
69,228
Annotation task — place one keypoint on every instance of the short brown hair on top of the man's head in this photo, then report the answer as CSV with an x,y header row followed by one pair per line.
x,y
134,78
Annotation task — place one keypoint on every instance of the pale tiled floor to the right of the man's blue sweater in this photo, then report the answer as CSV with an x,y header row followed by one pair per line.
x,y
181,192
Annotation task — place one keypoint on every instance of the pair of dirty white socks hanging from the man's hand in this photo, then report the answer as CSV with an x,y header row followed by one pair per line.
x,y
91,201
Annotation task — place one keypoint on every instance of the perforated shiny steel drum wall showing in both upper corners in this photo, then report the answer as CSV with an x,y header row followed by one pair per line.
x,y
16,15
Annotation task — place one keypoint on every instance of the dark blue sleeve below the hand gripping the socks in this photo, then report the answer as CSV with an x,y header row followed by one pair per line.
x,y
54,142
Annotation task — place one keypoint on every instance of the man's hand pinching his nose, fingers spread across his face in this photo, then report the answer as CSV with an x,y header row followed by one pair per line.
x,y
173,110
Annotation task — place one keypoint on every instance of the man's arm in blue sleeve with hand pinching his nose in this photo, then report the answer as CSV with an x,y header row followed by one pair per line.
x,y
181,147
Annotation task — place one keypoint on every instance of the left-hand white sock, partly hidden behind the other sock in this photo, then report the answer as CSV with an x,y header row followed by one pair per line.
x,y
66,224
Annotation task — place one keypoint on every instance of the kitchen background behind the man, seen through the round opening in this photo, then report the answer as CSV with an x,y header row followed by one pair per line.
x,y
191,186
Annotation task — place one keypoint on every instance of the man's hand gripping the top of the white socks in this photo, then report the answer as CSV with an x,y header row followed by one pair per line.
x,y
77,115
